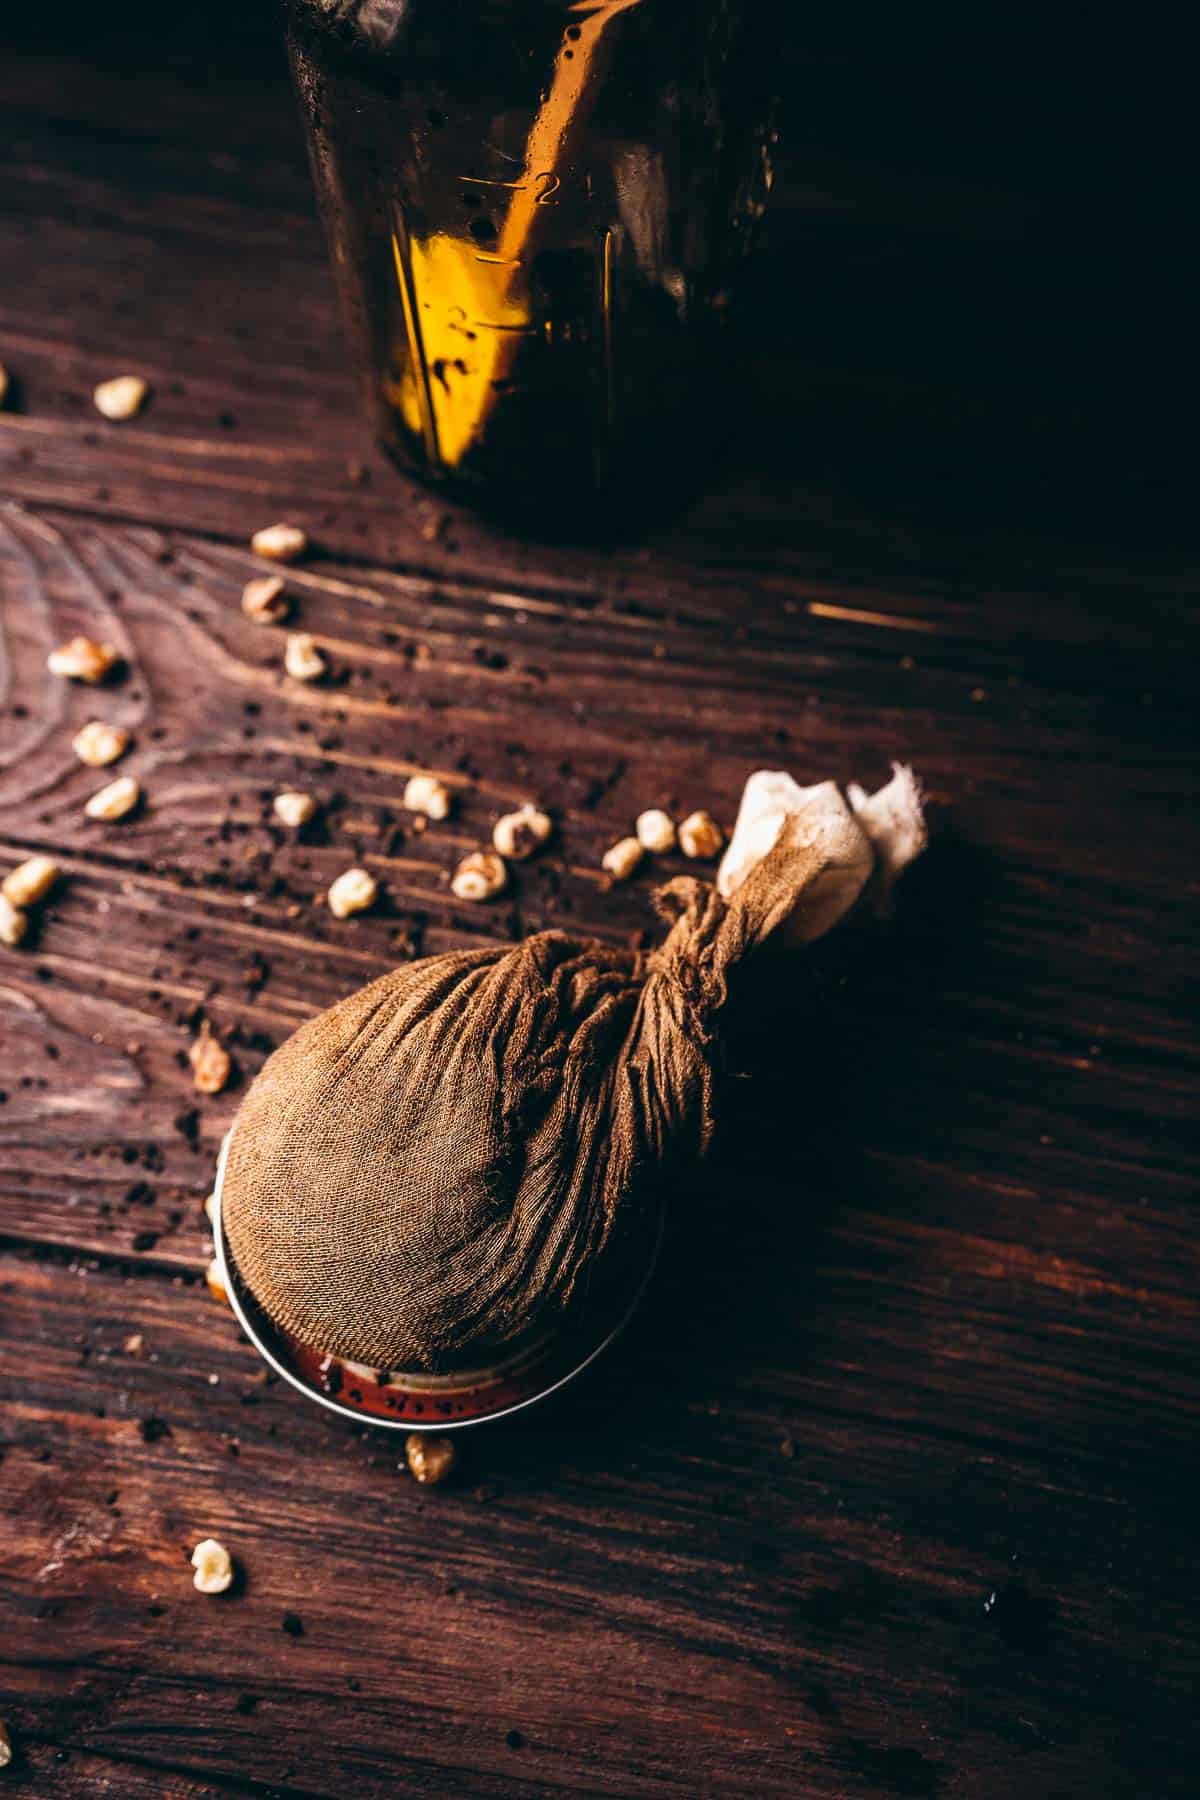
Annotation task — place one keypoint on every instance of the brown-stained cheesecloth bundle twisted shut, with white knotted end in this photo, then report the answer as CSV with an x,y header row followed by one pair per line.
x,y
470,1151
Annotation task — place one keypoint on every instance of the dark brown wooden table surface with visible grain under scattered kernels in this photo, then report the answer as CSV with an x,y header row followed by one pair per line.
x,y
891,1489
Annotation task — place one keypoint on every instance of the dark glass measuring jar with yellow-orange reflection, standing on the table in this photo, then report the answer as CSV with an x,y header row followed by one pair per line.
x,y
533,211
